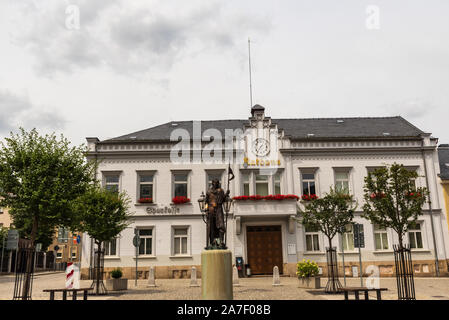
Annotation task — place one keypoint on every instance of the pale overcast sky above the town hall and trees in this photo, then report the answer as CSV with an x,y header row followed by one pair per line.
x,y
130,65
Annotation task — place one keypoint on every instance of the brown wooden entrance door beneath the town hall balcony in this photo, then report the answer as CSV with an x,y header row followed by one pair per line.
x,y
264,248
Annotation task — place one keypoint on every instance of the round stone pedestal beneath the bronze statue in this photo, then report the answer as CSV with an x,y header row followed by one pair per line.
x,y
216,275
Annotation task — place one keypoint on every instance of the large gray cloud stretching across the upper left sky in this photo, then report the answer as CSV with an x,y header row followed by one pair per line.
x,y
132,41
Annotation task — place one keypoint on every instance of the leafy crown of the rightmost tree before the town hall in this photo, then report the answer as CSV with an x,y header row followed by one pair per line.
x,y
392,200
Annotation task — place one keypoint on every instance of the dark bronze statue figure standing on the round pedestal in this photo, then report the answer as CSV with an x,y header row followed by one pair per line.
x,y
216,225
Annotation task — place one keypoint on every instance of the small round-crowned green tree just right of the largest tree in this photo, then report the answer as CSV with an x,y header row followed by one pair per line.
x,y
103,214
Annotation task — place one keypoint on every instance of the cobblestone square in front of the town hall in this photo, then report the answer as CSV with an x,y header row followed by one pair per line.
x,y
254,288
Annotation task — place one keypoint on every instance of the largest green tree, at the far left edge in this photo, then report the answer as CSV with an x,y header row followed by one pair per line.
x,y
40,177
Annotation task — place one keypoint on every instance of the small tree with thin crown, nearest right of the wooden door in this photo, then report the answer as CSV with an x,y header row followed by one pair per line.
x,y
329,214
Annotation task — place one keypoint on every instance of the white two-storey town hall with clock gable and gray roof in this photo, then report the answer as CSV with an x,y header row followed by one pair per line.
x,y
280,156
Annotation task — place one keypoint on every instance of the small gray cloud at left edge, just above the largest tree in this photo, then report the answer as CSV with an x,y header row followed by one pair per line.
x,y
17,110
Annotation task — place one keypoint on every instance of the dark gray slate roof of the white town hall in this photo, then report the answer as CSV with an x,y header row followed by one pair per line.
x,y
321,128
